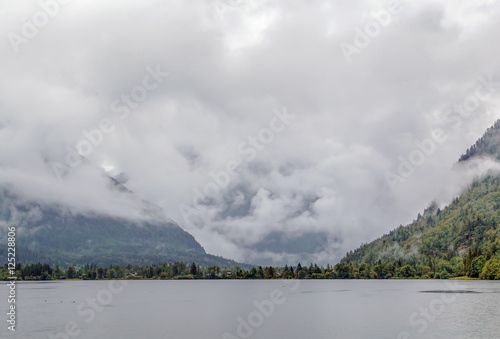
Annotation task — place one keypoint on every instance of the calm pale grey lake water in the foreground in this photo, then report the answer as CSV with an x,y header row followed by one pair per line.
x,y
255,309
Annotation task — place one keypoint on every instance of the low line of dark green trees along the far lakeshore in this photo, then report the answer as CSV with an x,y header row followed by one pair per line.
x,y
399,269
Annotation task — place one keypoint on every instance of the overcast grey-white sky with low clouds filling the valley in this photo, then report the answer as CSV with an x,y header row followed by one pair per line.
x,y
311,109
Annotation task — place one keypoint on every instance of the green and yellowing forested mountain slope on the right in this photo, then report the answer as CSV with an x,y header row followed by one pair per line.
x,y
461,239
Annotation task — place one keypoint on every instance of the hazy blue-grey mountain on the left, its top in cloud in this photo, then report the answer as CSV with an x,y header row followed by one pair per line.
x,y
56,234
